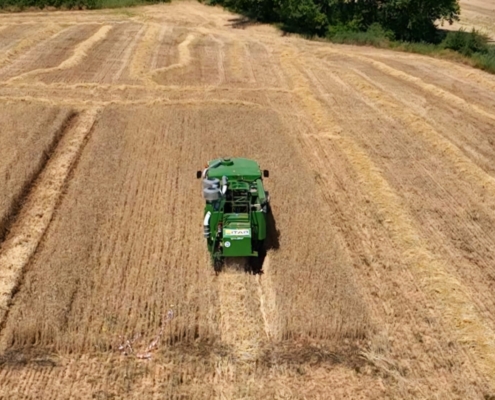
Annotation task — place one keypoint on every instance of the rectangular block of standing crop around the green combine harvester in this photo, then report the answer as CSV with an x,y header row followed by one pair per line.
x,y
126,231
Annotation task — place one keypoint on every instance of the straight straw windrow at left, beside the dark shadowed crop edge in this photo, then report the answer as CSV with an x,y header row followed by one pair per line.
x,y
36,215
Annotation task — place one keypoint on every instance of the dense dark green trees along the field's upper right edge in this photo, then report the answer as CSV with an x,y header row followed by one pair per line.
x,y
409,20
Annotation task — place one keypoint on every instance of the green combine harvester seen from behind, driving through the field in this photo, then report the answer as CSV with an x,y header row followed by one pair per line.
x,y
235,222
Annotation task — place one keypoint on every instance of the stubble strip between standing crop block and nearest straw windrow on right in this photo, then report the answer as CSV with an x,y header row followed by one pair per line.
x,y
386,281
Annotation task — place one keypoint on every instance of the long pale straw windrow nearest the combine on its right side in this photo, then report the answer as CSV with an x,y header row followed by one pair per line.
x,y
450,296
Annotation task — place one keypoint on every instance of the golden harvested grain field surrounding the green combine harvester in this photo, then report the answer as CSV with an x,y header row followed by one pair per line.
x,y
379,281
